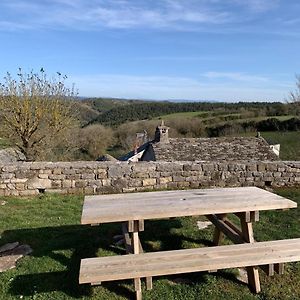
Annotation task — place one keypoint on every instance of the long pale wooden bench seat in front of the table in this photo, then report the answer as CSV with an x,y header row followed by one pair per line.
x,y
132,266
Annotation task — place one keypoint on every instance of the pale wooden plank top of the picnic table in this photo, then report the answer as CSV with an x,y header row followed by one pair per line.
x,y
177,203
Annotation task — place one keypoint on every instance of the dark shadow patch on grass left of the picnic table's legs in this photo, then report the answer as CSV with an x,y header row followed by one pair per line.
x,y
47,242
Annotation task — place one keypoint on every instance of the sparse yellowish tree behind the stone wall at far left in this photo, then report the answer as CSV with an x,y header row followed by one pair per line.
x,y
35,110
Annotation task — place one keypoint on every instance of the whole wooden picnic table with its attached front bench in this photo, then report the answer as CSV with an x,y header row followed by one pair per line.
x,y
215,204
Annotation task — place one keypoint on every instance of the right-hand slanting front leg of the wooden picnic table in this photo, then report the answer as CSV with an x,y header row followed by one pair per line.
x,y
252,272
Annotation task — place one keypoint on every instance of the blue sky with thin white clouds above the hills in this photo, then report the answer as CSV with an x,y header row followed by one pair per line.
x,y
228,50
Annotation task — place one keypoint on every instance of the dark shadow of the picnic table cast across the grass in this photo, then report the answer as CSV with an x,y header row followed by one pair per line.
x,y
87,241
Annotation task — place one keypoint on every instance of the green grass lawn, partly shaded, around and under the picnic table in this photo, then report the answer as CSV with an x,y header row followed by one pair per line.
x,y
50,224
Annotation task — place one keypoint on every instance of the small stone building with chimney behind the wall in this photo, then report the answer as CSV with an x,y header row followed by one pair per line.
x,y
163,148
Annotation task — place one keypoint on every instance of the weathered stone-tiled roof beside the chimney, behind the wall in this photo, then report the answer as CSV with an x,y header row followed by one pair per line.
x,y
216,149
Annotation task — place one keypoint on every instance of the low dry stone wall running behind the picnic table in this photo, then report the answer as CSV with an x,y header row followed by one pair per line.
x,y
31,178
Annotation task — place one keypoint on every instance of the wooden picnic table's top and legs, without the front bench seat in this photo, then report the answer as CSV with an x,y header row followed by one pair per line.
x,y
132,209
